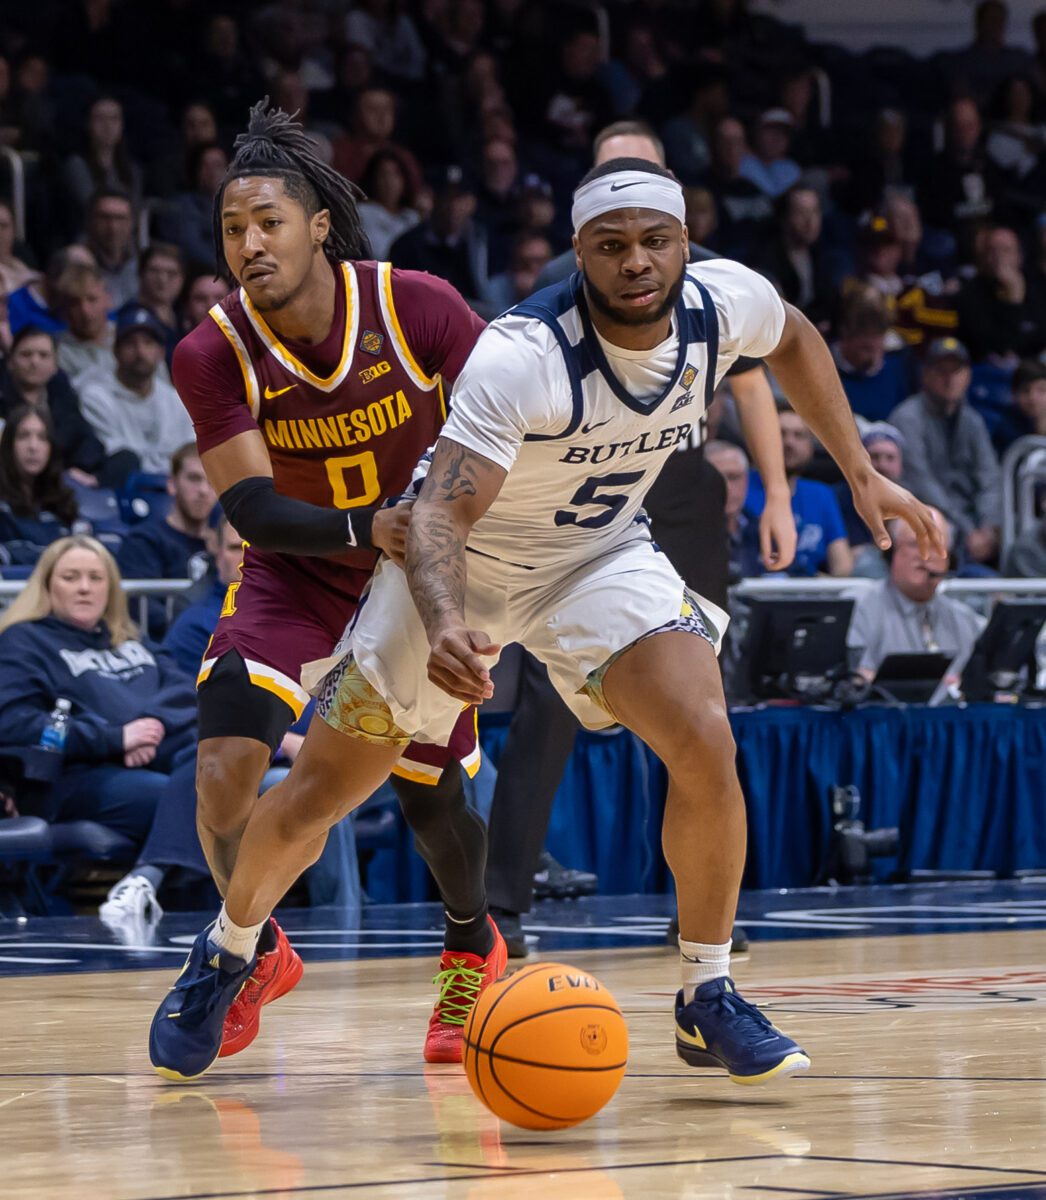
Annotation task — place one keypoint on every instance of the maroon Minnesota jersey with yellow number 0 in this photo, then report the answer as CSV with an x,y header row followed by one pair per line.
x,y
345,421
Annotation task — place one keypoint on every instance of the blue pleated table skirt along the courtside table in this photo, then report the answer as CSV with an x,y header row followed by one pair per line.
x,y
967,788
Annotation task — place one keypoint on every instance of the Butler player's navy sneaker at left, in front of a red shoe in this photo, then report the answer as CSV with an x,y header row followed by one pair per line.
x,y
187,1034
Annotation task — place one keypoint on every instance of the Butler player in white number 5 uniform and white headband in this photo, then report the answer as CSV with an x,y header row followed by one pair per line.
x,y
530,527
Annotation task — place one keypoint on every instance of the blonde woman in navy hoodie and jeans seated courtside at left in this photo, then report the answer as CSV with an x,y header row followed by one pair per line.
x,y
130,752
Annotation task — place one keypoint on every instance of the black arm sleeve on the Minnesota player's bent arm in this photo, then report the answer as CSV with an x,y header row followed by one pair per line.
x,y
285,526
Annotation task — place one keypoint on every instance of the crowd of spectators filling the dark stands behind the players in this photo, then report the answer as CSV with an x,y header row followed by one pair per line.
x,y
899,203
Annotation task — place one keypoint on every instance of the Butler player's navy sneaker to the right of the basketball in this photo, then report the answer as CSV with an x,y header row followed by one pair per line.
x,y
719,1029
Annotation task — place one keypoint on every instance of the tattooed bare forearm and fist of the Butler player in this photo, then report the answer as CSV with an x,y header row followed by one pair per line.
x,y
460,488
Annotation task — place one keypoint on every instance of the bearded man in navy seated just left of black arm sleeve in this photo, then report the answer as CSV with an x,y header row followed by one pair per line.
x,y
173,547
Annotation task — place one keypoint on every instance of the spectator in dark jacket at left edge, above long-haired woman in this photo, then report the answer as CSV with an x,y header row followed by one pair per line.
x,y
31,376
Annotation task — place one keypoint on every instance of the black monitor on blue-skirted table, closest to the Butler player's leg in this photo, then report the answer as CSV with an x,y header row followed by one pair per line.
x,y
797,649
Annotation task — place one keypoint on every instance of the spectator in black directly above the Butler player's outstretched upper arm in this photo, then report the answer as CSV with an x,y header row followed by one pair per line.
x,y
797,261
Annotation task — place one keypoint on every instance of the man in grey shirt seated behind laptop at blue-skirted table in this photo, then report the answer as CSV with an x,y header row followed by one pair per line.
x,y
904,615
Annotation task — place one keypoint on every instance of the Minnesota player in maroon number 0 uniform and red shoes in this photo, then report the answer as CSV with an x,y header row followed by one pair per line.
x,y
315,389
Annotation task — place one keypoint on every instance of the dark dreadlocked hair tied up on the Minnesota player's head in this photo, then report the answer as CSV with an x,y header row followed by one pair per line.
x,y
276,145
